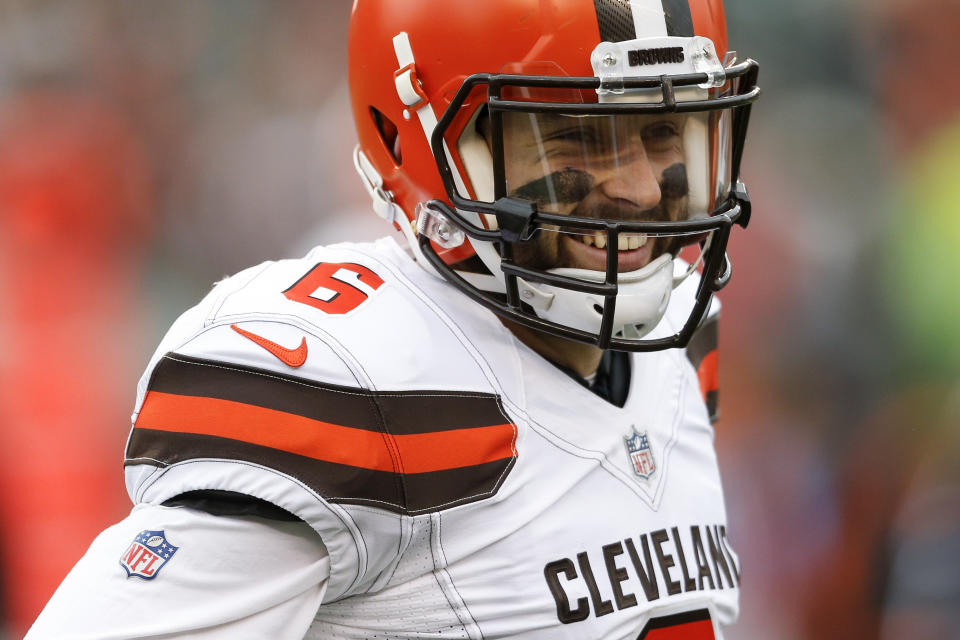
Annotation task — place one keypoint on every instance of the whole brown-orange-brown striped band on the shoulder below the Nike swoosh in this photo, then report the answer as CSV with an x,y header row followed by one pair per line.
x,y
406,451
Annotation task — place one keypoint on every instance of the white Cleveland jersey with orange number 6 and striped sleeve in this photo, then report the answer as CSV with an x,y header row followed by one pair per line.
x,y
461,485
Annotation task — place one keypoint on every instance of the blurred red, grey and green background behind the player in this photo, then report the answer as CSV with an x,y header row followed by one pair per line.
x,y
147,150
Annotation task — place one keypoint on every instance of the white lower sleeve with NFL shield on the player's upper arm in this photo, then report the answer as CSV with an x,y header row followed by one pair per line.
x,y
269,578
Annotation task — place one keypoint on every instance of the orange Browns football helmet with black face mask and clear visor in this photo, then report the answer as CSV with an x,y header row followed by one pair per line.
x,y
552,159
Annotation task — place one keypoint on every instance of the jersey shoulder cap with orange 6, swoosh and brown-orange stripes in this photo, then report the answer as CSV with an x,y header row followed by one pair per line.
x,y
330,387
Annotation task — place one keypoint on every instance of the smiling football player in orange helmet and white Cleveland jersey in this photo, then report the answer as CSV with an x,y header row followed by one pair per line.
x,y
501,431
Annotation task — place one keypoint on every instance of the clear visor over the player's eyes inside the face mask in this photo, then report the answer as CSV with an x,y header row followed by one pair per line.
x,y
657,167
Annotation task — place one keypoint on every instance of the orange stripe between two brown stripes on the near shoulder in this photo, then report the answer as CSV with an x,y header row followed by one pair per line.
x,y
419,453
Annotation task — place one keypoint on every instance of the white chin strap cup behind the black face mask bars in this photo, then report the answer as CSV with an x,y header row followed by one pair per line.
x,y
642,299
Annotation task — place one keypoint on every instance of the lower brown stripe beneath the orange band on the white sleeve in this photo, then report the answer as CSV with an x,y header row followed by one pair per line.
x,y
411,493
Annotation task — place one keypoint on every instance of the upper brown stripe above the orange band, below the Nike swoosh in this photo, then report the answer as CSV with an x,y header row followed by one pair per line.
x,y
405,412
